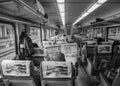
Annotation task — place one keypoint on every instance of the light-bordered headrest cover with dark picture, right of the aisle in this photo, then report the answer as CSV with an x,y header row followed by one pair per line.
x,y
104,48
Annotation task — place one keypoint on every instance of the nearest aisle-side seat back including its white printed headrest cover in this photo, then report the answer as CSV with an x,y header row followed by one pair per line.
x,y
55,72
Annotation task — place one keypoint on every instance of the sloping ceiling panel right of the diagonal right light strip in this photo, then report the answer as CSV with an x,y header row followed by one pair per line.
x,y
105,11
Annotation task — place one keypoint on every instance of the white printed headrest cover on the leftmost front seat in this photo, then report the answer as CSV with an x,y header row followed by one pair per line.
x,y
15,68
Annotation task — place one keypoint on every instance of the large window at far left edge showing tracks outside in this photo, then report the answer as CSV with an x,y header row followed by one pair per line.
x,y
7,42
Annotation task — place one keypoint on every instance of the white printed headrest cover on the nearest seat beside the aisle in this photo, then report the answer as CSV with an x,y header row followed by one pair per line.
x,y
56,69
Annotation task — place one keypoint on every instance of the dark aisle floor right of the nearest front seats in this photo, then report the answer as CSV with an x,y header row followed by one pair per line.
x,y
83,79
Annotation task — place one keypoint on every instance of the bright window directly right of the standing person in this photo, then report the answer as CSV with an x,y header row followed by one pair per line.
x,y
35,35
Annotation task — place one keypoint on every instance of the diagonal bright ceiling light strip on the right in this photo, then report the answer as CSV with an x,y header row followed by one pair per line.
x,y
91,9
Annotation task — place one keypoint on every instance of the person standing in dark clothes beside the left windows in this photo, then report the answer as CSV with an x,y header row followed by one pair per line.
x,y
26,48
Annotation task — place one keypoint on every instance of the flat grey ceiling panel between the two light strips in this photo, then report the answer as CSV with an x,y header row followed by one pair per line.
x,y
74,8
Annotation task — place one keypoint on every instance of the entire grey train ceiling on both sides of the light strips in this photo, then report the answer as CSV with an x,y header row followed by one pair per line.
x,y
73,9
